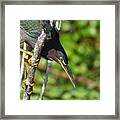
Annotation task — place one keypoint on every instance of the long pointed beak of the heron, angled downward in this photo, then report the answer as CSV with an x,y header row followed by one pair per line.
x,y
67,70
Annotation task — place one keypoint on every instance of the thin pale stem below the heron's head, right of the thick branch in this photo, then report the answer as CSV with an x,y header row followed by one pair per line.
x,y
45,80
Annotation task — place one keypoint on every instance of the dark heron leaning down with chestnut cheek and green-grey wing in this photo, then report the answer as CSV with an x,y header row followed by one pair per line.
x,y
52,49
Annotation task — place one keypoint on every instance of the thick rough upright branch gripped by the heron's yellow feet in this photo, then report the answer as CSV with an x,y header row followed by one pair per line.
x,y
36,55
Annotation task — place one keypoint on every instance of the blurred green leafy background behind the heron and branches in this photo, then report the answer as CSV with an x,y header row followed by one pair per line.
x,y
81,41
